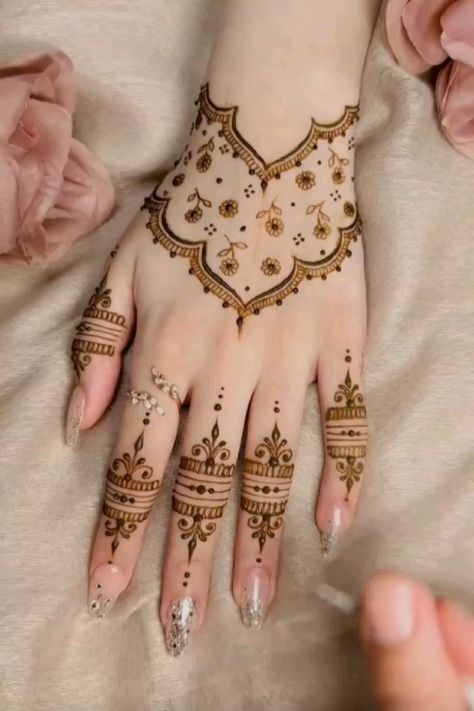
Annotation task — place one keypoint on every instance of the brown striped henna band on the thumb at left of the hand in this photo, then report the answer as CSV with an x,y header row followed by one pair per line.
x,y
100,329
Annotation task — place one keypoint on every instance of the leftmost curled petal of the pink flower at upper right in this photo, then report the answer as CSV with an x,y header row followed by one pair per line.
x,y
422,23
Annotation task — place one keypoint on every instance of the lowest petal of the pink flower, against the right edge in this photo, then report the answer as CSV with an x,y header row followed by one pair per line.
x,y
455,101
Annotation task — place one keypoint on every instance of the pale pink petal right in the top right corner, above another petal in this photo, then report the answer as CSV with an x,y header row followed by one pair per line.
x,y
457,37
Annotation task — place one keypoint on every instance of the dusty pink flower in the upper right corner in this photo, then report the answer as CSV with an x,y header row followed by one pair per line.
x,y
425,33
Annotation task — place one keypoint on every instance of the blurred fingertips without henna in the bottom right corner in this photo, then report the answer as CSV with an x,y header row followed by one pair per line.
x,y
430,668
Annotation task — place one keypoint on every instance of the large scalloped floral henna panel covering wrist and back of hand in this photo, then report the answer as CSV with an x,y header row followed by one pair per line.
x,y
301,174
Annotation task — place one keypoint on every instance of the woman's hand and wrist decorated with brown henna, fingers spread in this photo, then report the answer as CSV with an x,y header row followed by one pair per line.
x,y
243,280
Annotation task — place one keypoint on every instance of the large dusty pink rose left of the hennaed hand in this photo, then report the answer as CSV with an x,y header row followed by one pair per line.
x,y
52,189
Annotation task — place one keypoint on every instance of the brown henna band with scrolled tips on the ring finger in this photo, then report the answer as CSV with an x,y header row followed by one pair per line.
x,y
266,486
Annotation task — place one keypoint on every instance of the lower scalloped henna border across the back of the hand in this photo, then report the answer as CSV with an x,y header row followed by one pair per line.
x,y
196,253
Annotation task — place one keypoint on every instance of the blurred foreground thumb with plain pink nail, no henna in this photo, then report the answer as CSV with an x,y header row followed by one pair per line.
x,y
409,666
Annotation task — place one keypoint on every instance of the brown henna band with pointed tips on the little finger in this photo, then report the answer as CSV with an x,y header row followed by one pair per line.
x,y
346,432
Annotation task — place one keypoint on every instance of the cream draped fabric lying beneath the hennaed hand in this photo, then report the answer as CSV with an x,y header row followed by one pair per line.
x,y
140,65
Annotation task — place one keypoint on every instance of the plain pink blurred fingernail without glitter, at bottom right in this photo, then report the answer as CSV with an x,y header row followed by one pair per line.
x,y
389,609
